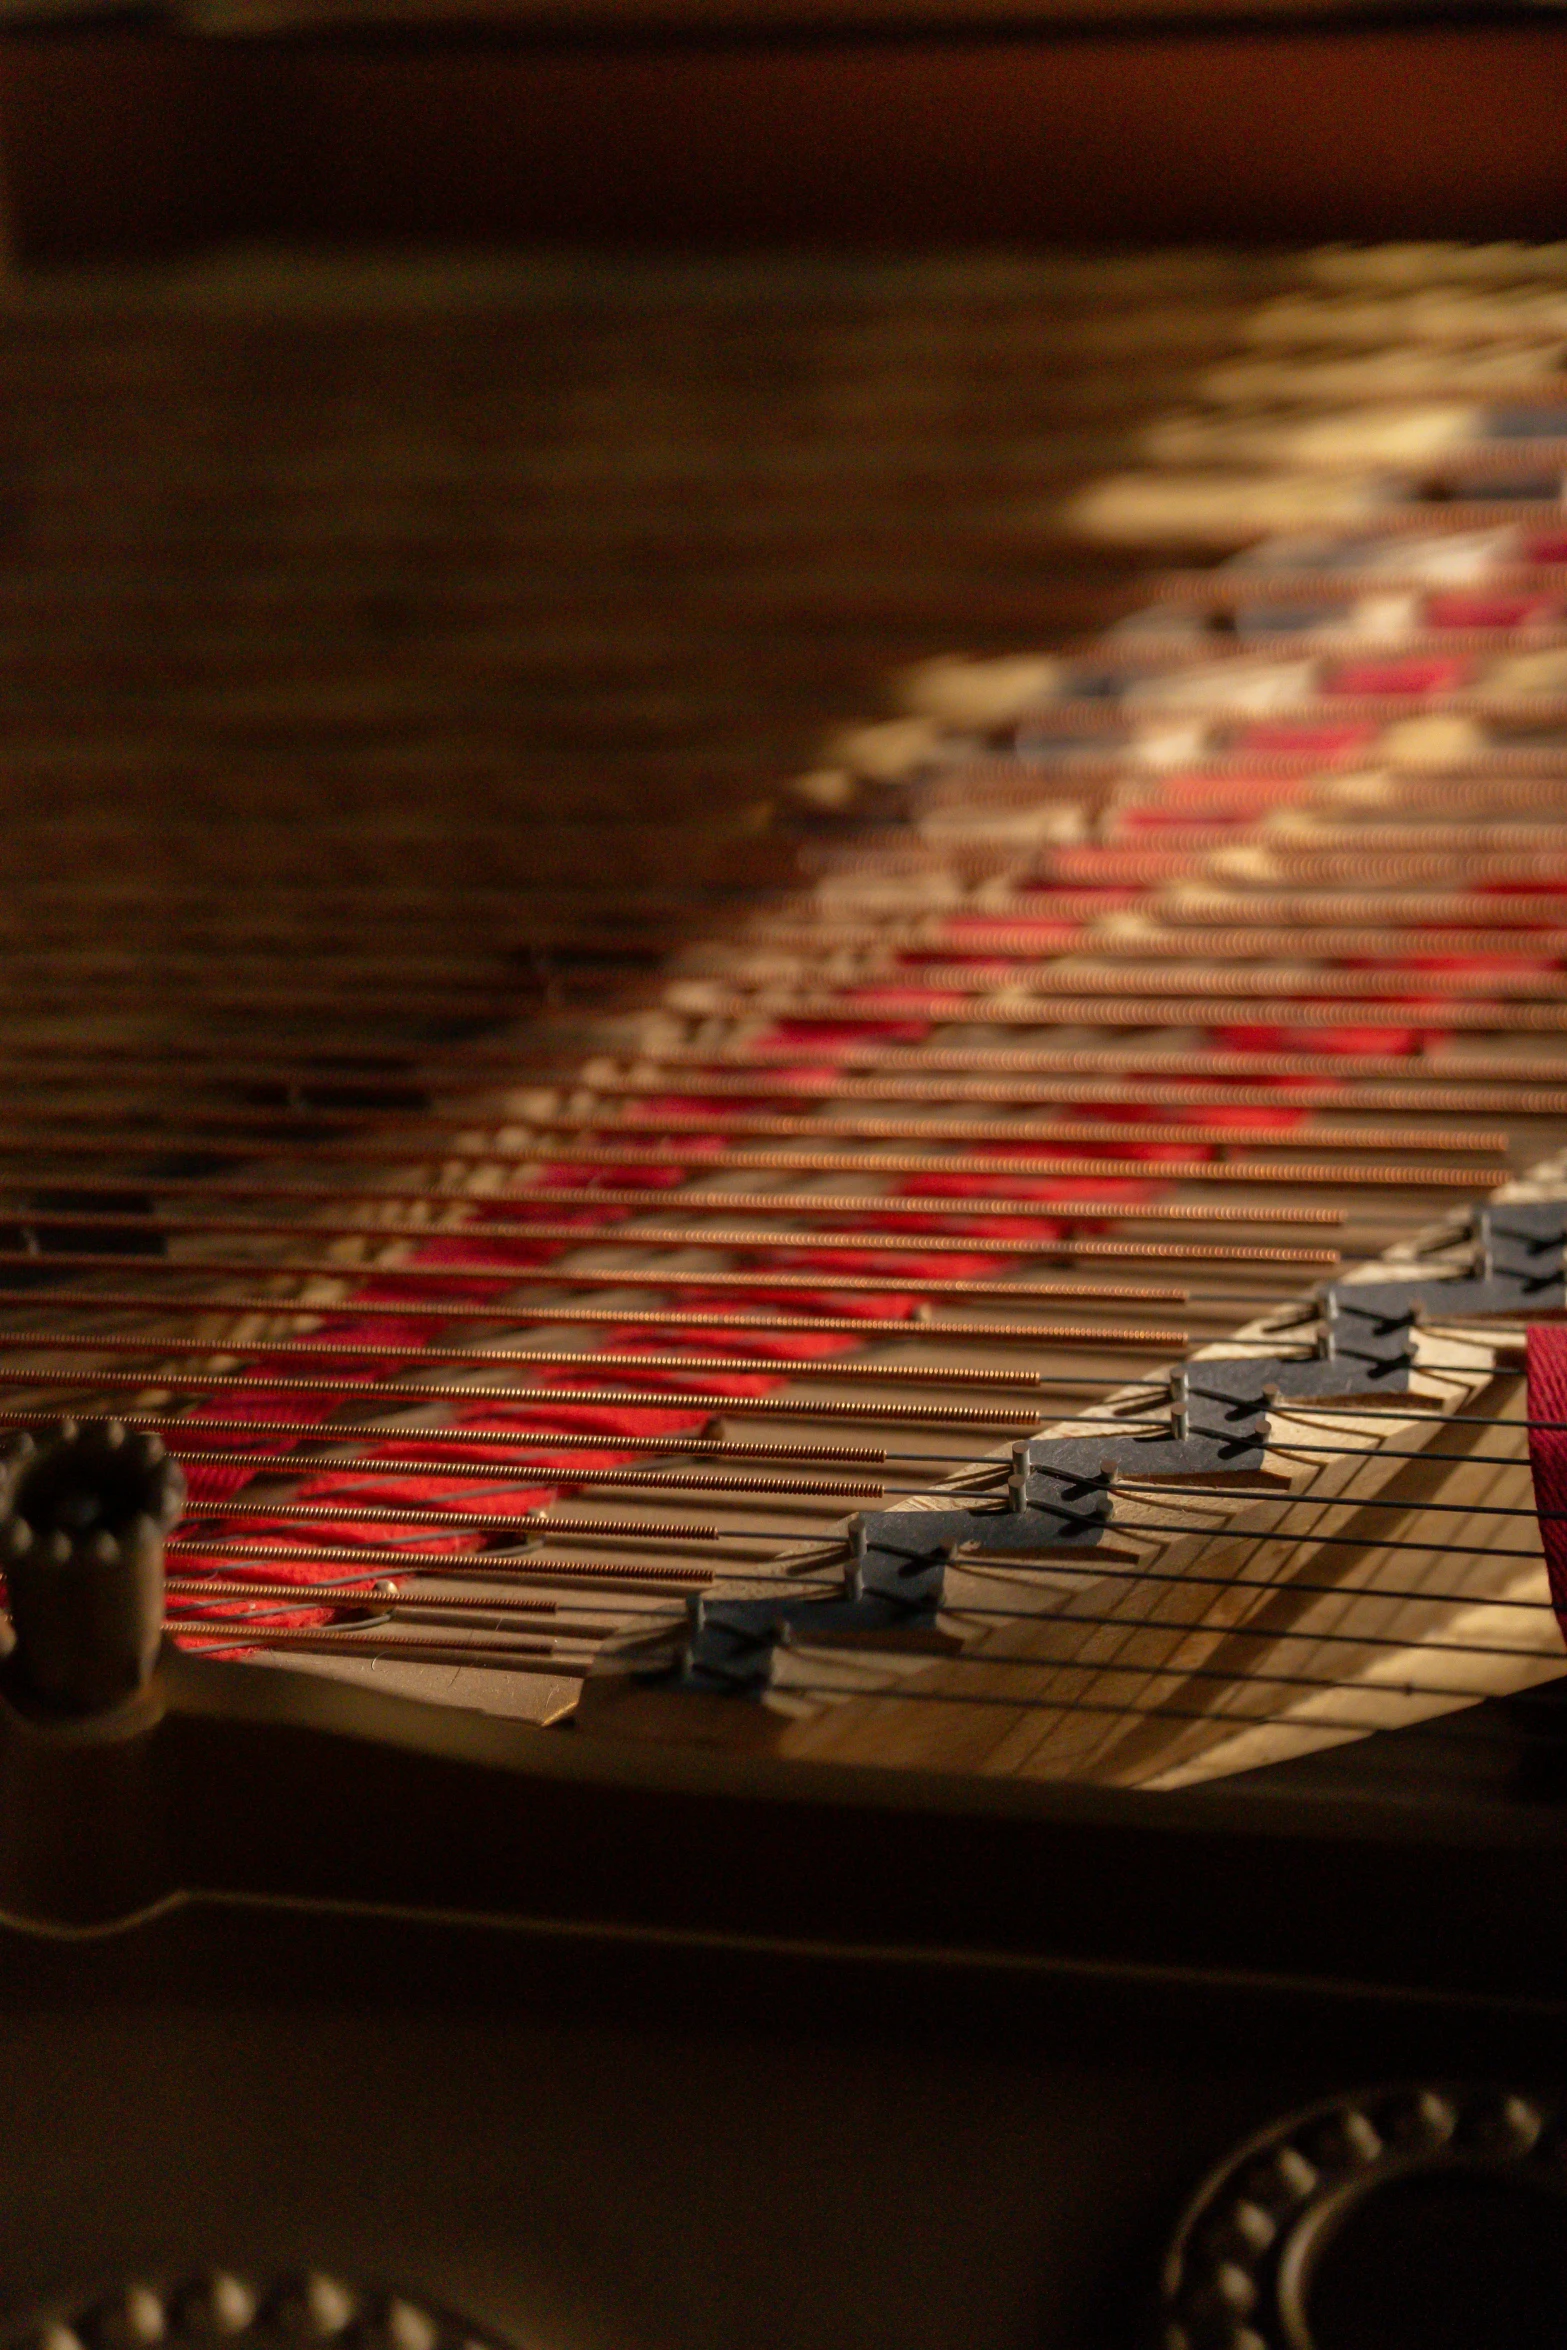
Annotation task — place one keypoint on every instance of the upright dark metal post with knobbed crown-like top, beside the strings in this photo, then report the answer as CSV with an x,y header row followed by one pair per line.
x,y
83,1522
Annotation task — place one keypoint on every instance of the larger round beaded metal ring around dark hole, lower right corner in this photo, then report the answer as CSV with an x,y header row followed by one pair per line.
x,y
1420,2217
